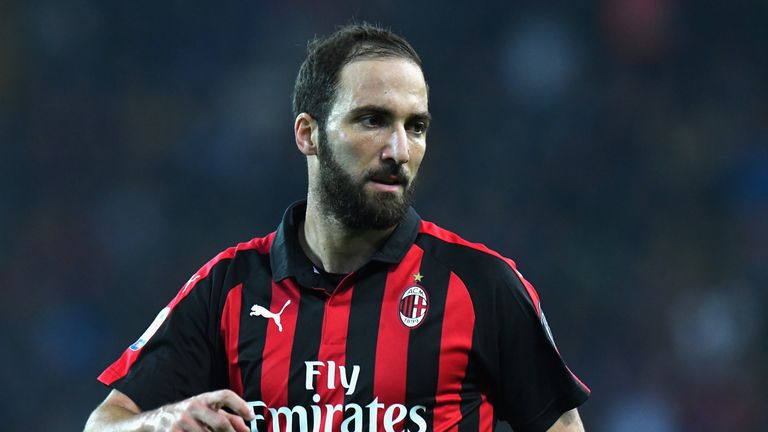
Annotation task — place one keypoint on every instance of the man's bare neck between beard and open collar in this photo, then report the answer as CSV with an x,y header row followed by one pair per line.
x,y
334,247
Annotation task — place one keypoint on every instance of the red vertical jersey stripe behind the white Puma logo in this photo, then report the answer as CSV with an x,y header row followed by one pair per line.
x,y
278,344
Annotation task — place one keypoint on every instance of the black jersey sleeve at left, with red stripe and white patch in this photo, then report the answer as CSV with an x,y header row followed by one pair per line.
x,y
178,355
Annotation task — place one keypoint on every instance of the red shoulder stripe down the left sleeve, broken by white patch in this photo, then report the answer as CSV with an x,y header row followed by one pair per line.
x,y
122,365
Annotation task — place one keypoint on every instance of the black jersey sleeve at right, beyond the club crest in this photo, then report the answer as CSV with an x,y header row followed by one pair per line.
x,y
536,386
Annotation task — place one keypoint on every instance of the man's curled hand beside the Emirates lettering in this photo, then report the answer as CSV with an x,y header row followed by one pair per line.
x,y
205,412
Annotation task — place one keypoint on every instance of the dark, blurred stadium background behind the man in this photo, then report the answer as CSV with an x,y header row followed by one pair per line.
x,y
616,149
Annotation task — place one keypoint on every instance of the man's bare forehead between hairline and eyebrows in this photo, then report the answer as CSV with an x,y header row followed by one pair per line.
x,y
392,83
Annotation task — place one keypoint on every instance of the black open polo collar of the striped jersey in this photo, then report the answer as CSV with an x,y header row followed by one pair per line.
x,y
288,259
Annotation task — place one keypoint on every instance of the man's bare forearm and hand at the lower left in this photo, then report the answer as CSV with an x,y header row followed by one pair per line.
x,y
201,413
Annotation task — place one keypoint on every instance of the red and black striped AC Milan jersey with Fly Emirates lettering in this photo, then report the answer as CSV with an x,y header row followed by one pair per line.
x,y
433,333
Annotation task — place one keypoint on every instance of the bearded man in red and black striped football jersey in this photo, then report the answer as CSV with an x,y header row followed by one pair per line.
x,y
355,315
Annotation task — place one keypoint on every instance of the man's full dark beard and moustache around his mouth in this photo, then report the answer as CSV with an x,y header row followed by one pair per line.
x,y
346,200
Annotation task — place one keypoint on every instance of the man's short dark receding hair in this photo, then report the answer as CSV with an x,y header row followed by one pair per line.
x,y
318,79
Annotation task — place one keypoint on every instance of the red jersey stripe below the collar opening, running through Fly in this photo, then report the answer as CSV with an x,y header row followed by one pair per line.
x,y
332,353
